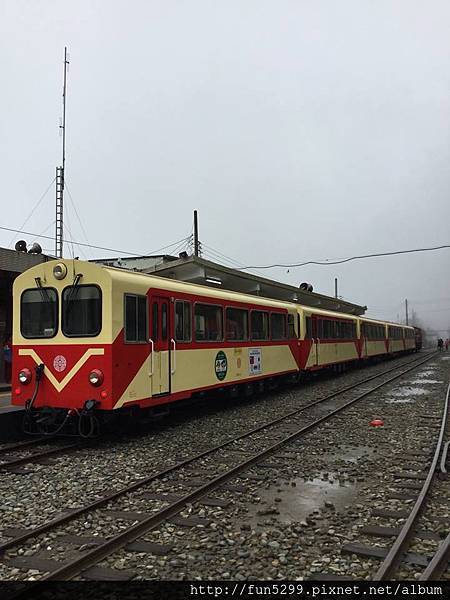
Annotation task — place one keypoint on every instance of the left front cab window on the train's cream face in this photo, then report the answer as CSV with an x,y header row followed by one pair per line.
x,y
39,313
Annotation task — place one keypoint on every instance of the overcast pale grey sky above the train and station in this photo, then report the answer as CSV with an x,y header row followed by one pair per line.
x,y
299,129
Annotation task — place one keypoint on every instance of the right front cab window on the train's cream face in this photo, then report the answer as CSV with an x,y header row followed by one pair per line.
x,y
81,311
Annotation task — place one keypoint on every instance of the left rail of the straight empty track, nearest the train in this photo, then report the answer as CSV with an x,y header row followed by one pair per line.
x,y
166,471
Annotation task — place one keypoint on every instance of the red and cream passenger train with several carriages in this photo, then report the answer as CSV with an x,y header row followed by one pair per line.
x,y
91,341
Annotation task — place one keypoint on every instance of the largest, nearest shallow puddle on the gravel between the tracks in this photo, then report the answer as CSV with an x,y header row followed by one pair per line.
x,y
299,502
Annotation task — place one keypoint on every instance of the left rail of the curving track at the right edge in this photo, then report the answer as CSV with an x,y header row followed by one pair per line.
x,y
394,555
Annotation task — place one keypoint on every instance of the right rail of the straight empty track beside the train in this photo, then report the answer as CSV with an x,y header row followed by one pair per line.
x,y
92,557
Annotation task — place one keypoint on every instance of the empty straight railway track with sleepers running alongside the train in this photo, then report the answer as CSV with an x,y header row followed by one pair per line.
x,y
218,465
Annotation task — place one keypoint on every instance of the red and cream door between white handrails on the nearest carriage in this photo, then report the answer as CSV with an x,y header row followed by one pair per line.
x,y
160,341
